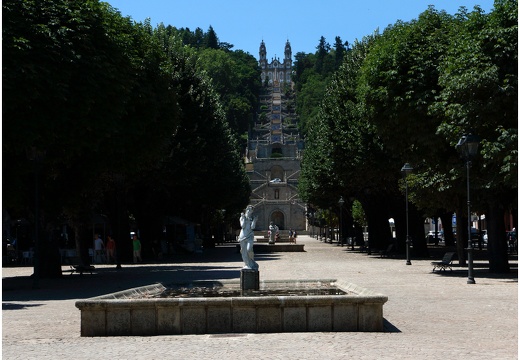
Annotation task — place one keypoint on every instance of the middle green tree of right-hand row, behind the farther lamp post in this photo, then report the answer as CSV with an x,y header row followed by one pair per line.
x,y
399,81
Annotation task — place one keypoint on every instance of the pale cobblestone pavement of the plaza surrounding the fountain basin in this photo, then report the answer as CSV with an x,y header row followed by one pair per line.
x,y
428,315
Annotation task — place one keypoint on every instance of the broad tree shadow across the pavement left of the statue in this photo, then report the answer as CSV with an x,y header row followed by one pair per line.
x,y
107,279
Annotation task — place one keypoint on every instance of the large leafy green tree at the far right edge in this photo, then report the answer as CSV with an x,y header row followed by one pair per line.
x,y
479,79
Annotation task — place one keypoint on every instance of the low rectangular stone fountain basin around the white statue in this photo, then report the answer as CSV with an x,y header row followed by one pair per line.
x,y
139,312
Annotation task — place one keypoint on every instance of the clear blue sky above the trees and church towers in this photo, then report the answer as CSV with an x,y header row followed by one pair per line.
x,y
246,23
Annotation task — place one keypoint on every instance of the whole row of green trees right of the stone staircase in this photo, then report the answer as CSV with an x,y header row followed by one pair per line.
x,y
408,95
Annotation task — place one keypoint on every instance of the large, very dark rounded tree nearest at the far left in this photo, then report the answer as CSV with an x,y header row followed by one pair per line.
x,y
84,86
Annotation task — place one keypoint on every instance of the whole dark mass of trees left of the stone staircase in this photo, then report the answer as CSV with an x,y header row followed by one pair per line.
x,y
105,115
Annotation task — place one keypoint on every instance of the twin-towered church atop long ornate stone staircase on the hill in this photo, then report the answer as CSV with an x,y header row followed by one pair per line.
x,y
275,149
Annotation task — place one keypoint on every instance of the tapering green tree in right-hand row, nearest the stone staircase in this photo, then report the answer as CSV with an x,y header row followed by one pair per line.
x,y
346,156
